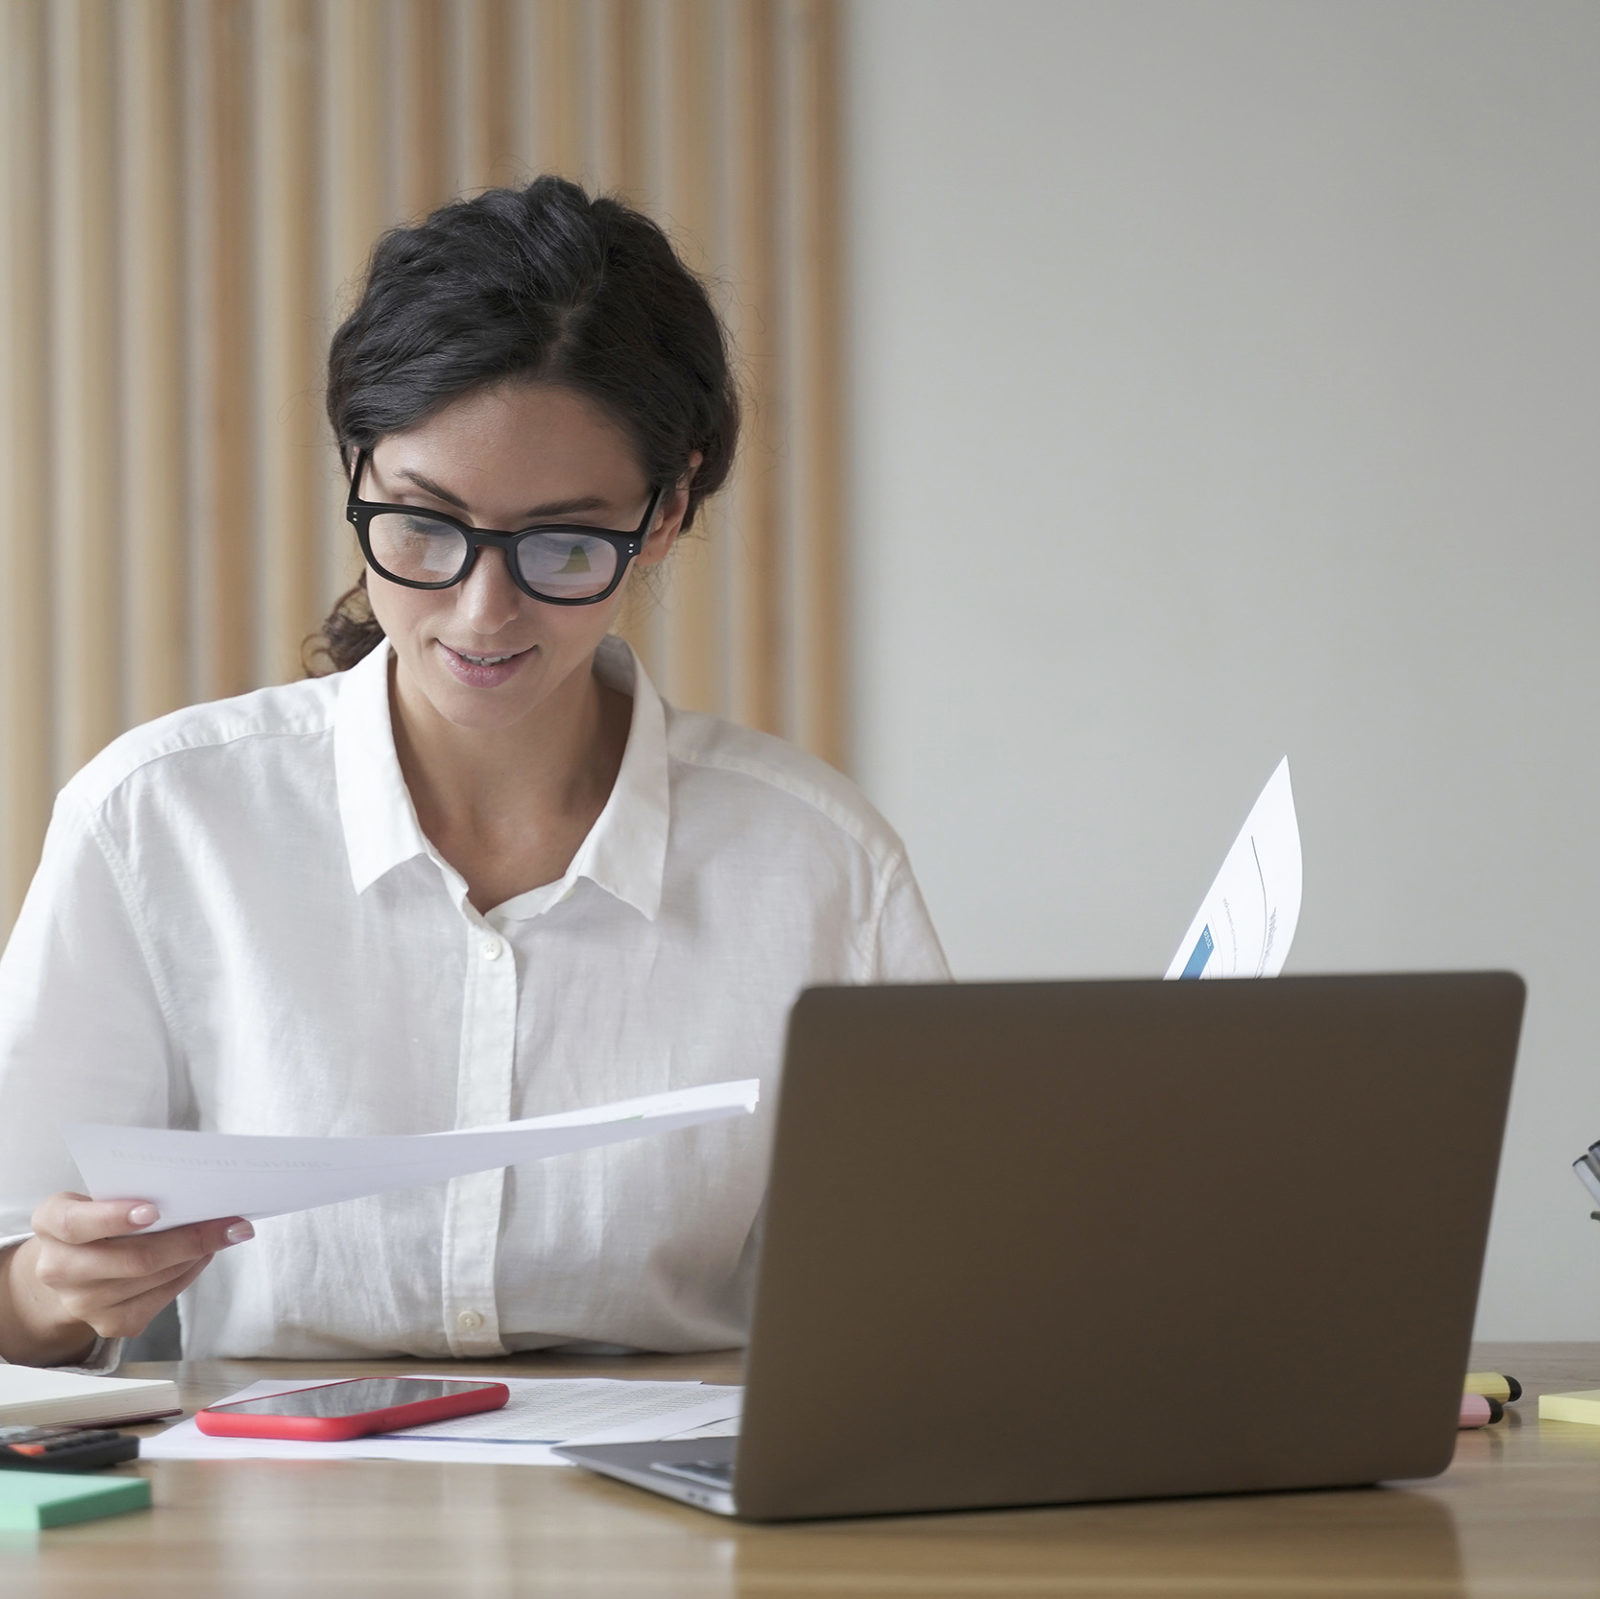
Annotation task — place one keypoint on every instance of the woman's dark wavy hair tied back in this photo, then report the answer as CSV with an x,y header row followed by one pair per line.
x,y
546,286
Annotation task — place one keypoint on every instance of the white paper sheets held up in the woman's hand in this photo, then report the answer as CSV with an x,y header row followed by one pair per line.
x,y
194,1177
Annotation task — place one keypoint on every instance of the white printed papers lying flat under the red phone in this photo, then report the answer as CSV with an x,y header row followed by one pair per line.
x,y
542,1413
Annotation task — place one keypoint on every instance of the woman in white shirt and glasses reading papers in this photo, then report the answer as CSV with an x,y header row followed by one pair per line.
x,y
479,875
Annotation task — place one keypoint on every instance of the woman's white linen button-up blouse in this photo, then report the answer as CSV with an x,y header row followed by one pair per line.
x,y
239,926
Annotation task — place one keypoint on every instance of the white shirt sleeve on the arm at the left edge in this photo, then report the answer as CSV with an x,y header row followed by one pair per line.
x,y
84,1033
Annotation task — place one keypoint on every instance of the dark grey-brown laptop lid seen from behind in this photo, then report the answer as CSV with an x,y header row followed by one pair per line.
x,y
1047,1243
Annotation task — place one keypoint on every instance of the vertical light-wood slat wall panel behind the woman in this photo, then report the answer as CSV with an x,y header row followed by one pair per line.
x,y
191,191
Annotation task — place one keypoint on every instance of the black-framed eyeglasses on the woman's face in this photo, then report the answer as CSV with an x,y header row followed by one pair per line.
x,y
558,563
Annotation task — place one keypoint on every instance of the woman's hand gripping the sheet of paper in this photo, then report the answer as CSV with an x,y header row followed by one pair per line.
x,y
90,1272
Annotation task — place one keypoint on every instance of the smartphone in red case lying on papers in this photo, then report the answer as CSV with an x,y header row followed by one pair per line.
x,y
351,1409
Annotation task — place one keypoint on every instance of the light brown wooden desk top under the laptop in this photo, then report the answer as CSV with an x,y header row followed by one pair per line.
x,y
1518,1513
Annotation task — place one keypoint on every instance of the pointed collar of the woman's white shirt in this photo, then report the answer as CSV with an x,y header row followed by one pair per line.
x,y
626,849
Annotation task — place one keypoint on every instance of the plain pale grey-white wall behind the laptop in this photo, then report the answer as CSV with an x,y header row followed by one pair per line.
x,y
1228,385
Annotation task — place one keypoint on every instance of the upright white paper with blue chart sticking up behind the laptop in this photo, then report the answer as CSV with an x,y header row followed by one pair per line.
x,y
1247,921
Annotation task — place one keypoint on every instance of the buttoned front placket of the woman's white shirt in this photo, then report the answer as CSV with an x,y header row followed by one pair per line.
x,y
484,1084
